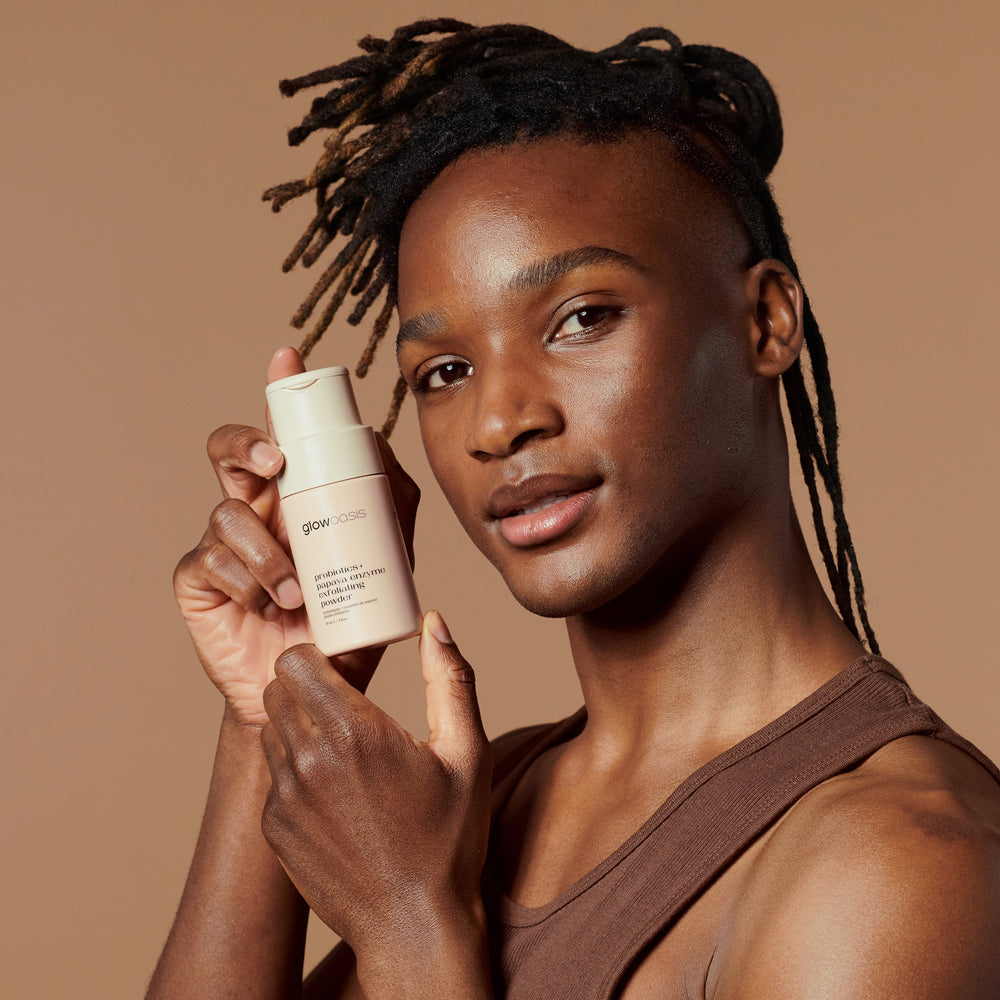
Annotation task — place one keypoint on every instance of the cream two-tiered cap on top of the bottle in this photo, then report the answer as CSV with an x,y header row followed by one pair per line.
x,y
319,430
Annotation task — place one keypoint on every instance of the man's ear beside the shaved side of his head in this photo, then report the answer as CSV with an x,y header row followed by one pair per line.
x,y
776,299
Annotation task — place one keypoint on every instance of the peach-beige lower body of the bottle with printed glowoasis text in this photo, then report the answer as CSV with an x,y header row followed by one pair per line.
x,y
352,564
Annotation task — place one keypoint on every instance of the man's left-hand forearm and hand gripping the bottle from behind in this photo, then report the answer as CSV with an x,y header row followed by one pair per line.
x,y
240,925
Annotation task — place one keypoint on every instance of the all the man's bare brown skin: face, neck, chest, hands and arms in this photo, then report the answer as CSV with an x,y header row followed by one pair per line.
x,y
635,384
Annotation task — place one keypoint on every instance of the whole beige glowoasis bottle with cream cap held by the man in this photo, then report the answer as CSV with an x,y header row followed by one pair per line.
x,y
342,527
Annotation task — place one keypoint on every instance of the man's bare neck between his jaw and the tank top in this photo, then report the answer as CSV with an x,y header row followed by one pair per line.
x,y
717,652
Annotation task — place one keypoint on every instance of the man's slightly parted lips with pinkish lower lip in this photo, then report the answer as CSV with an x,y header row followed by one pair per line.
x,y
542,508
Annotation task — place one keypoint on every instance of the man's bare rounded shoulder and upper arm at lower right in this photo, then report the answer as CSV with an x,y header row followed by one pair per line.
x,y
880,883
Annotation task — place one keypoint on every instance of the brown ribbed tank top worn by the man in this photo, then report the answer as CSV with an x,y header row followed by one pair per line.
x,y
585,943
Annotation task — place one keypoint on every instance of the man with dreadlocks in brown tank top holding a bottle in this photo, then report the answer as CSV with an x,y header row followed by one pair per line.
x,y
596,305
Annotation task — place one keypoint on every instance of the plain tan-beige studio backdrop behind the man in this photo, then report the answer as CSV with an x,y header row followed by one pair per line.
x,y
142,296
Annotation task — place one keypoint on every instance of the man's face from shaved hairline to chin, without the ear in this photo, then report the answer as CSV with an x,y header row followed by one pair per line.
x,y
575,329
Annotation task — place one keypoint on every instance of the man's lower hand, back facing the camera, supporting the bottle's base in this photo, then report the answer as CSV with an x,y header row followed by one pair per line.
x,y
384,835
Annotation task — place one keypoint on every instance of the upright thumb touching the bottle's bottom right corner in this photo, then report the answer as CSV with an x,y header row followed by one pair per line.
x,y
456,728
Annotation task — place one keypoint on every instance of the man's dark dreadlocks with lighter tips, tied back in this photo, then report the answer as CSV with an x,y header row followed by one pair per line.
x,y
411,104
